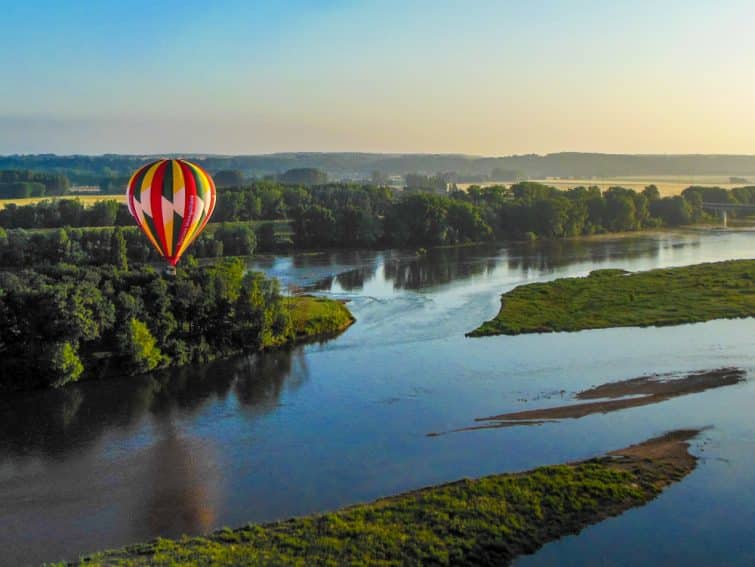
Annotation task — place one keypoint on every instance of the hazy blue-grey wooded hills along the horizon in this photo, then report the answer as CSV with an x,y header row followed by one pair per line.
x,y
81,168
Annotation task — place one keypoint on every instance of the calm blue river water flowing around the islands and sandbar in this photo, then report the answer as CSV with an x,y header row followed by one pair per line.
x,y
258,438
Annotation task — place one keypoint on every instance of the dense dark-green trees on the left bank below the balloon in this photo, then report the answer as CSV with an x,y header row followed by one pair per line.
x,y
62,322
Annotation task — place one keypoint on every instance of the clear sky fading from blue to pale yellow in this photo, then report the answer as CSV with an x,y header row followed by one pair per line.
x,y
411,76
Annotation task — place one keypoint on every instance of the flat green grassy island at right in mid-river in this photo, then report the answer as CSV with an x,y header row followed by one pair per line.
x,y
614,298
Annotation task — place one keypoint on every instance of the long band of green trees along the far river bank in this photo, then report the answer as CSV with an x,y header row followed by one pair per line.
x,y
349,215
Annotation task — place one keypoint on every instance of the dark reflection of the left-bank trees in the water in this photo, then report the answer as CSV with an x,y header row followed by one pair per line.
x,y
55,422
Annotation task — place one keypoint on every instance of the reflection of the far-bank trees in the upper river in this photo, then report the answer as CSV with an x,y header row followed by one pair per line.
x,y
408,270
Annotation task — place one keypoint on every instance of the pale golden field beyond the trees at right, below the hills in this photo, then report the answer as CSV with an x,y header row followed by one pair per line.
x,y
667,185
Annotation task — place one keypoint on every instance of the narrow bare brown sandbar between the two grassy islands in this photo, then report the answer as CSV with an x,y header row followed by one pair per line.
x,y
615,396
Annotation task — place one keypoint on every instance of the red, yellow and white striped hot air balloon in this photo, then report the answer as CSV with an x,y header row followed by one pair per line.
x,y
172,200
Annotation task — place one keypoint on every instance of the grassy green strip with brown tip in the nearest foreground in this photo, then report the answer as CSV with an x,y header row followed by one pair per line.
x,y
487,521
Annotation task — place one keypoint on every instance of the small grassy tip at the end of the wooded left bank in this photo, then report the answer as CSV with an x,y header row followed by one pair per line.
x,y
318,316
